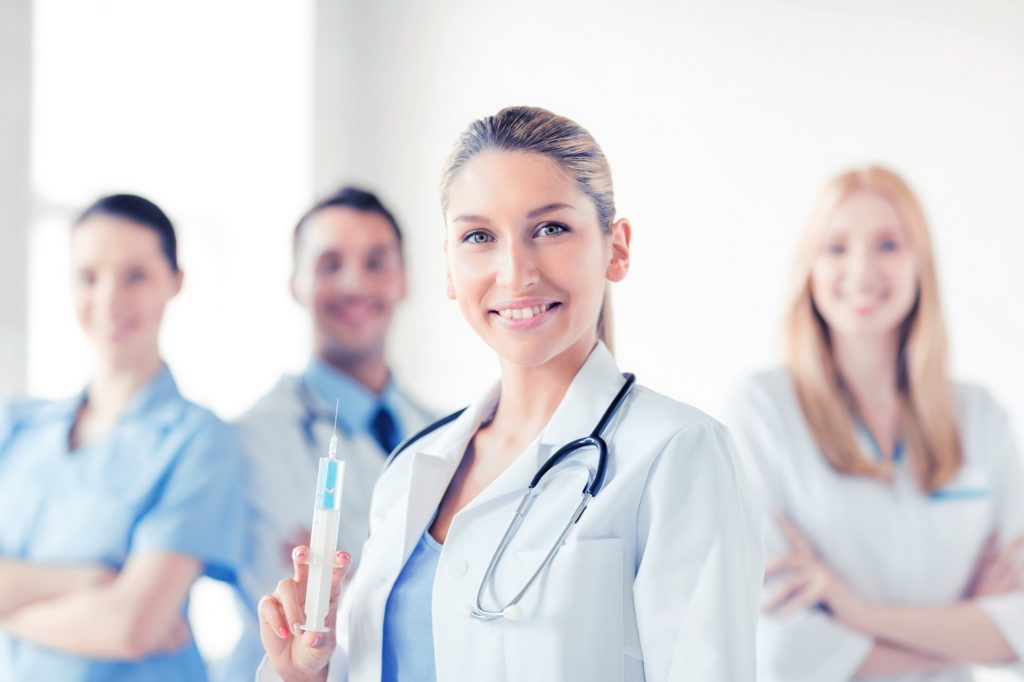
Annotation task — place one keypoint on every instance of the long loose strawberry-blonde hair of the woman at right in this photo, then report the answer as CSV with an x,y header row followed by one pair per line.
x,y
926,393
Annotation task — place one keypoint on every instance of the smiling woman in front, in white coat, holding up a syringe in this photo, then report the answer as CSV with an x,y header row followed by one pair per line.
x,y
660,578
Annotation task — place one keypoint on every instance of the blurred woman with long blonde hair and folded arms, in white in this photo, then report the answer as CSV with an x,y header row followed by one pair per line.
x,y
898,497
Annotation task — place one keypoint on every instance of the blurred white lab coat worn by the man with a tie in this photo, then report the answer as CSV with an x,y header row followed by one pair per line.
x,y
283,465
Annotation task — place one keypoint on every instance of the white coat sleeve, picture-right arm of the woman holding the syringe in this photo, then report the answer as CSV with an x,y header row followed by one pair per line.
x,y
701,563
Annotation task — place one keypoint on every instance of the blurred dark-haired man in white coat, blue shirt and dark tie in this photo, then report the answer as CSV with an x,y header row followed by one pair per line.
x,y
350,276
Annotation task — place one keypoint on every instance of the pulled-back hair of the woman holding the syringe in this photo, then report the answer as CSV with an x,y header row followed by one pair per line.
x,y
567,143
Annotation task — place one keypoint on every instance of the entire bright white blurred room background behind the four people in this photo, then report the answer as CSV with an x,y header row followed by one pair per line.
x,y
720,119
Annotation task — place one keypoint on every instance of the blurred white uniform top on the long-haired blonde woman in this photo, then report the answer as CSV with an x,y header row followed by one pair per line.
x,y
892,544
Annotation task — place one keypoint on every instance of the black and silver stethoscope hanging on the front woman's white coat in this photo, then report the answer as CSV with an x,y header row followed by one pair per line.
x,y
513,611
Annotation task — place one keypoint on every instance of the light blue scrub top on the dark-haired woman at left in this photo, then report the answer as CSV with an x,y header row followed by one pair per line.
x,y
167,479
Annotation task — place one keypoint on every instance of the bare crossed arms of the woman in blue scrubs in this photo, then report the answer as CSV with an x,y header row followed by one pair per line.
x,y
93,613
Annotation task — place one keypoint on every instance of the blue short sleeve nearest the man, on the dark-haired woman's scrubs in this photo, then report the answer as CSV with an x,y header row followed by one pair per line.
x,y
199,508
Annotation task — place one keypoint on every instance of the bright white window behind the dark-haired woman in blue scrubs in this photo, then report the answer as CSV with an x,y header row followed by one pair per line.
x,y
206,108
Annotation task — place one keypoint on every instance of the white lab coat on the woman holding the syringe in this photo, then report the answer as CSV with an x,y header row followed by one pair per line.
x,y
659,581
